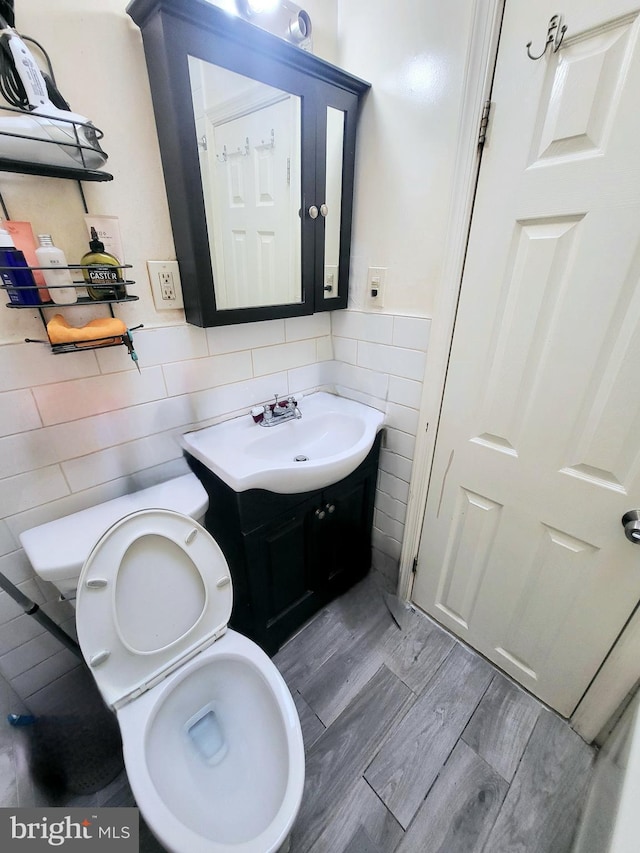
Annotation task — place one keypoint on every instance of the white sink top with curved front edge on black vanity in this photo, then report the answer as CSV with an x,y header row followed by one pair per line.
x,y
329,441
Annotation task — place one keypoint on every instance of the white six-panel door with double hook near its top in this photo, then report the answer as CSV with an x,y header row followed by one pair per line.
x,y
523,553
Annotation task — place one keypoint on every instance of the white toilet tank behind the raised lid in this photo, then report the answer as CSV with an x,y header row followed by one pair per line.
x,y
57,550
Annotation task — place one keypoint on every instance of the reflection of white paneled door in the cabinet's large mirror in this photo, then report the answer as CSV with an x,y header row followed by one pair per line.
x,y
255,170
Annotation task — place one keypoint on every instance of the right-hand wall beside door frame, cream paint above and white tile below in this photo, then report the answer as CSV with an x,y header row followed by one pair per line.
x,y
415,56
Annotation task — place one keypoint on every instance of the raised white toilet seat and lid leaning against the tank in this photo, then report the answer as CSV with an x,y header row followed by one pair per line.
x,y
154,591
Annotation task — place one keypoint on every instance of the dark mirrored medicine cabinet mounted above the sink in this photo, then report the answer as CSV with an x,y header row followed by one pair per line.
x,y
249,123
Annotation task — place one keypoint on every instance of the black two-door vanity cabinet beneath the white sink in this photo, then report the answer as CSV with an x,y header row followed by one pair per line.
x,y
291,554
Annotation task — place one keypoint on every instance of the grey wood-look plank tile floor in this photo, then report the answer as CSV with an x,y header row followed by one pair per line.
x,y
414,744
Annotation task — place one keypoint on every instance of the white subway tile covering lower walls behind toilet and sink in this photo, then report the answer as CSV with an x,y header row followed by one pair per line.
x,y
79,430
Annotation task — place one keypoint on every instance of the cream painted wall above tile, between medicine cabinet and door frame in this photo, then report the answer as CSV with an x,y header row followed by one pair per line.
x,y
414,54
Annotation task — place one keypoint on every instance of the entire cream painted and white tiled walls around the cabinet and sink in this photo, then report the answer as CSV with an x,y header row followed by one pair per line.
x,y
79,429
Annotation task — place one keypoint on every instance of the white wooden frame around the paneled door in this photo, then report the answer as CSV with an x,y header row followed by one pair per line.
x,y
618,674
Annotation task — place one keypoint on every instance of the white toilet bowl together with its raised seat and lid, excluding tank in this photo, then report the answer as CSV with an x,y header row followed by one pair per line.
x,y
211,737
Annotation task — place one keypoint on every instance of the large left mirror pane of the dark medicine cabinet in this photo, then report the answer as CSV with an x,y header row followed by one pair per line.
x,y
249,143
